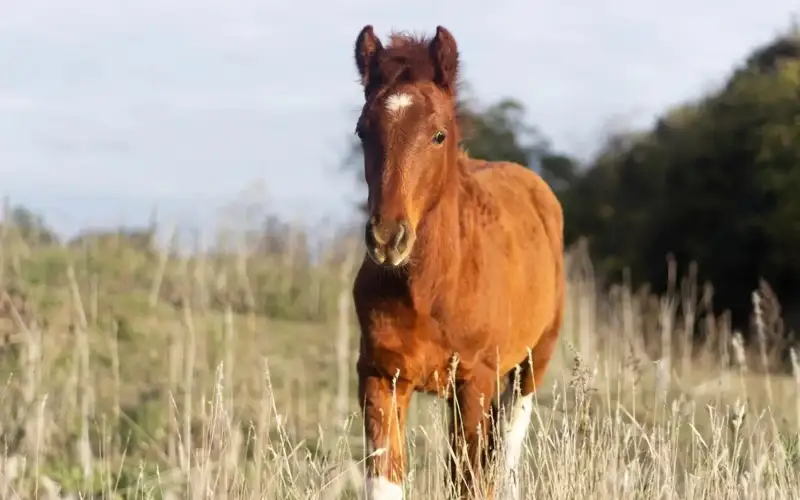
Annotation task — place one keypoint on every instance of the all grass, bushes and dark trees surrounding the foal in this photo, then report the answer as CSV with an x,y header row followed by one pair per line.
x,y
137,370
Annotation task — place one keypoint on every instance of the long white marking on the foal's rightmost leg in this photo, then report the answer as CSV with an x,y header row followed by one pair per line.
x,y
517,420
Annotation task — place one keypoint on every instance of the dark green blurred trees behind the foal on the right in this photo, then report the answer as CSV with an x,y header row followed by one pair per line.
x,y
713,185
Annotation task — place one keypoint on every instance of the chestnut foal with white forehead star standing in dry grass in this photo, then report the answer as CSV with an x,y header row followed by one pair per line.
x,y
464,276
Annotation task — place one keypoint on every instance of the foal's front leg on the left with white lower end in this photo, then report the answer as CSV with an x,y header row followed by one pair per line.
x,y
384,403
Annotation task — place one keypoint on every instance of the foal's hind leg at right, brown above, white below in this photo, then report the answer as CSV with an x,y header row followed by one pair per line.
x,y
517,407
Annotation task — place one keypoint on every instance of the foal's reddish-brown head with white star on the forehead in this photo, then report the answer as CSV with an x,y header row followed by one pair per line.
x,y
409,134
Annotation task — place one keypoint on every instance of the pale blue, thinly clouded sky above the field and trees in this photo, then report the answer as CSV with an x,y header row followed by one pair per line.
x,y
108,108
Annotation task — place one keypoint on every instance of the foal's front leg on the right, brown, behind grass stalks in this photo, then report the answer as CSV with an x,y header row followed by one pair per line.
x,y
472,437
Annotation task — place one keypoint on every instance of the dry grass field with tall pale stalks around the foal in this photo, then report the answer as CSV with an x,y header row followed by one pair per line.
x,y
130,373
